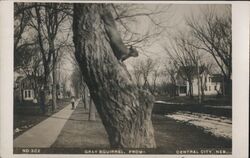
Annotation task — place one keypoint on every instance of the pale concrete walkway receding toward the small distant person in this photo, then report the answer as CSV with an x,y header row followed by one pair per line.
x,y
44,134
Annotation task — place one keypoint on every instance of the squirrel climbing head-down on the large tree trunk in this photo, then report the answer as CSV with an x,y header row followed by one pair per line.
x,y
120,50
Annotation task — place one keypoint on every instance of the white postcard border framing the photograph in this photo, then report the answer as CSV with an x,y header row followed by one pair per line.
x,y
240,59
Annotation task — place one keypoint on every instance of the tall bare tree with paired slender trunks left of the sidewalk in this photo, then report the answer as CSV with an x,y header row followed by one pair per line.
x,y
47,20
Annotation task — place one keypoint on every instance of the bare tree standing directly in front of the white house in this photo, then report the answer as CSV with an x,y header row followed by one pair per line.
x,y
189,58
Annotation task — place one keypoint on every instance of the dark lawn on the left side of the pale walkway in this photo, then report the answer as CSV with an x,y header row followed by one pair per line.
x,y
28,114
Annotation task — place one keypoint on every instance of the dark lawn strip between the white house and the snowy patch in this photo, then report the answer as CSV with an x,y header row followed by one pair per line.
x,y
208,106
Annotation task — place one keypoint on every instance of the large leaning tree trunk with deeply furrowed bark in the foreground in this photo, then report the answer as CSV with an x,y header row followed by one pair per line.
x,y
125,111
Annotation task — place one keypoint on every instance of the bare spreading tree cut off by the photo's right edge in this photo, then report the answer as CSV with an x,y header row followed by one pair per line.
x,y
214,35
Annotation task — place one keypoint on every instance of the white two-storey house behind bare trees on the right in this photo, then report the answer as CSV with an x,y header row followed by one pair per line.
x,y
210,84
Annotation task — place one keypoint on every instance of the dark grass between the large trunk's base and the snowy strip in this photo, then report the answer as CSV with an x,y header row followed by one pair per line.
x,y
171,135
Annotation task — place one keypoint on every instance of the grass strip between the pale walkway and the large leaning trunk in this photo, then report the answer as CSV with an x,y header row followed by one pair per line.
x,y
79,132
